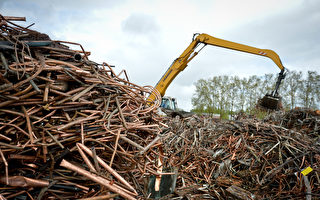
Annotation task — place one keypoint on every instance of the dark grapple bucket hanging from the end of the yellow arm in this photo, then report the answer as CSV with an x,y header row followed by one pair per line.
x,y
273,101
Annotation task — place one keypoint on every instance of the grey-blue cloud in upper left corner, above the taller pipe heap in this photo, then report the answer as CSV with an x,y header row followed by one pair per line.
x,y
49,16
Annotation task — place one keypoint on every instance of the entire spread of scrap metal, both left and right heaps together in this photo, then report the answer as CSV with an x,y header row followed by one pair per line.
x,y
71,128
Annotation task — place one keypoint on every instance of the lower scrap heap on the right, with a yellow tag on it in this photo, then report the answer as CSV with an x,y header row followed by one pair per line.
x,y
243,159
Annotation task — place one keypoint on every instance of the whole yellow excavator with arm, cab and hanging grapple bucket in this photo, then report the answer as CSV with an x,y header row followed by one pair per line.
x,y
269,101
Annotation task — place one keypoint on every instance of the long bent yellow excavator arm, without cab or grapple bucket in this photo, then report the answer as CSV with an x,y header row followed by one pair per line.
x,y
181,62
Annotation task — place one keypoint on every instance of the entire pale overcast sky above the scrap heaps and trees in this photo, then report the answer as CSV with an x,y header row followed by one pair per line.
x,y
145,36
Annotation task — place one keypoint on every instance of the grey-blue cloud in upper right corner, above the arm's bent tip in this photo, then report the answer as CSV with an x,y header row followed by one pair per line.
x,y
292,34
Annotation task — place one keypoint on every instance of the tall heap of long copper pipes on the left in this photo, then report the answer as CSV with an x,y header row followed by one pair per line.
x,y
69,127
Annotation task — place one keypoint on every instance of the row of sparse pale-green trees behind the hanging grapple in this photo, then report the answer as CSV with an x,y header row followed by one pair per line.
x,y
230,94
